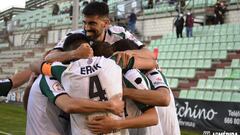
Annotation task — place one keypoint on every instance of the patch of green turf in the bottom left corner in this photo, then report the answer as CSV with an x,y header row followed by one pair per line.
x,y
12,119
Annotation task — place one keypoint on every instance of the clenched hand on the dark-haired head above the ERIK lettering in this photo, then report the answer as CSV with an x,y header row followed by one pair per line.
x,y
84,51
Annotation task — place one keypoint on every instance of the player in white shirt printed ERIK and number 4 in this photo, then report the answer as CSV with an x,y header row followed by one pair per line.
x,y
90,81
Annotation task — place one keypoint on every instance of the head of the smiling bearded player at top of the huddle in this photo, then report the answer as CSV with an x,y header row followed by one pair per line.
x,y
96,20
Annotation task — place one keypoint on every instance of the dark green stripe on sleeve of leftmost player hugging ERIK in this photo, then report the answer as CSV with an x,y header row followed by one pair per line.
x,y
45,89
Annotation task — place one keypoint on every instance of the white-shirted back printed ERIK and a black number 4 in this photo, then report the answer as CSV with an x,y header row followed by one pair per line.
x,y
96,78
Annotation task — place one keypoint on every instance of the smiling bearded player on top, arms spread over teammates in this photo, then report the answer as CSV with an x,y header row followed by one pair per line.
x,y
96,27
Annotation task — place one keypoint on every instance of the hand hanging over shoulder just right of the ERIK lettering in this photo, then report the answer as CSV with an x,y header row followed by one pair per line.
x,y
123,58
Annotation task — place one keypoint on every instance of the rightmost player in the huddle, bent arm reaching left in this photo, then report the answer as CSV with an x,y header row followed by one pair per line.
x,y
160,96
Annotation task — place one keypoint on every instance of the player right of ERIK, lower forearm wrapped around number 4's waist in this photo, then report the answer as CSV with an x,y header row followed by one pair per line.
x,y
140,117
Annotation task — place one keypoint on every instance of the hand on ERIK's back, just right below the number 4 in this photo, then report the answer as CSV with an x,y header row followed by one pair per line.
x,y
117,105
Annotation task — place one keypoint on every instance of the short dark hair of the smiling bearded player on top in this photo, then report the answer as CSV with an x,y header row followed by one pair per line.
x,y
96,8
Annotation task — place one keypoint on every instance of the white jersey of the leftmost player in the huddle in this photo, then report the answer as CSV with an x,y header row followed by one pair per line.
x,y
43,116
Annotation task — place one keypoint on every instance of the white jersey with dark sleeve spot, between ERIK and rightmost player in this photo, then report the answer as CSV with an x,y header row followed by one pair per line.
x,y
135,79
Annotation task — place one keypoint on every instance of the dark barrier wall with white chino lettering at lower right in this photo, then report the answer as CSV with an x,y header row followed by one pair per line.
x,y
209,115
